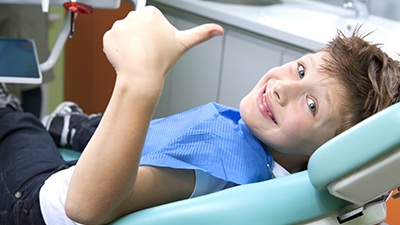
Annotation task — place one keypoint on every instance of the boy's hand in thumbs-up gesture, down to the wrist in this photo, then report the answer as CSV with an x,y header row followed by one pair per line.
x,y
145,45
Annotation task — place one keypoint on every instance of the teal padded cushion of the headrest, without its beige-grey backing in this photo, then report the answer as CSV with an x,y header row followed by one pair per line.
x,y
350,150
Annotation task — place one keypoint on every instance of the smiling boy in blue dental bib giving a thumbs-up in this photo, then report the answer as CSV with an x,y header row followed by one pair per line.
x,y
291,111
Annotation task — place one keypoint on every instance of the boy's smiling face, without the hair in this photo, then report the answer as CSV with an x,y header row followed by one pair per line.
x,y
294,108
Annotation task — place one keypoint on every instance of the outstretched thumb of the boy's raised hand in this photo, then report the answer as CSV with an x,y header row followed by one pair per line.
x,y
194,36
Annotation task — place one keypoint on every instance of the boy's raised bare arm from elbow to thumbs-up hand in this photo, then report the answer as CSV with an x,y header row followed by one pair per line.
x,y
142,48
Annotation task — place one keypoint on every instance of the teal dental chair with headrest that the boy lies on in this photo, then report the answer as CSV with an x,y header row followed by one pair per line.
x,y
347,182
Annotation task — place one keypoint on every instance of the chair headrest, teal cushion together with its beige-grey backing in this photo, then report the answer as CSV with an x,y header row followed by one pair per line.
x,y
360,164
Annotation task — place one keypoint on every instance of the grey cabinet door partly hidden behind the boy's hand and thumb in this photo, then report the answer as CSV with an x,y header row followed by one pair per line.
x,y
194,79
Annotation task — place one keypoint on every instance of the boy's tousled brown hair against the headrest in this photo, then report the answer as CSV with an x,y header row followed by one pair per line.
x,y
370,78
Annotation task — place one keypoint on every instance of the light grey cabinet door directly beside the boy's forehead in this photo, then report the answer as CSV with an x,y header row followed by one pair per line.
x,y
246,60
